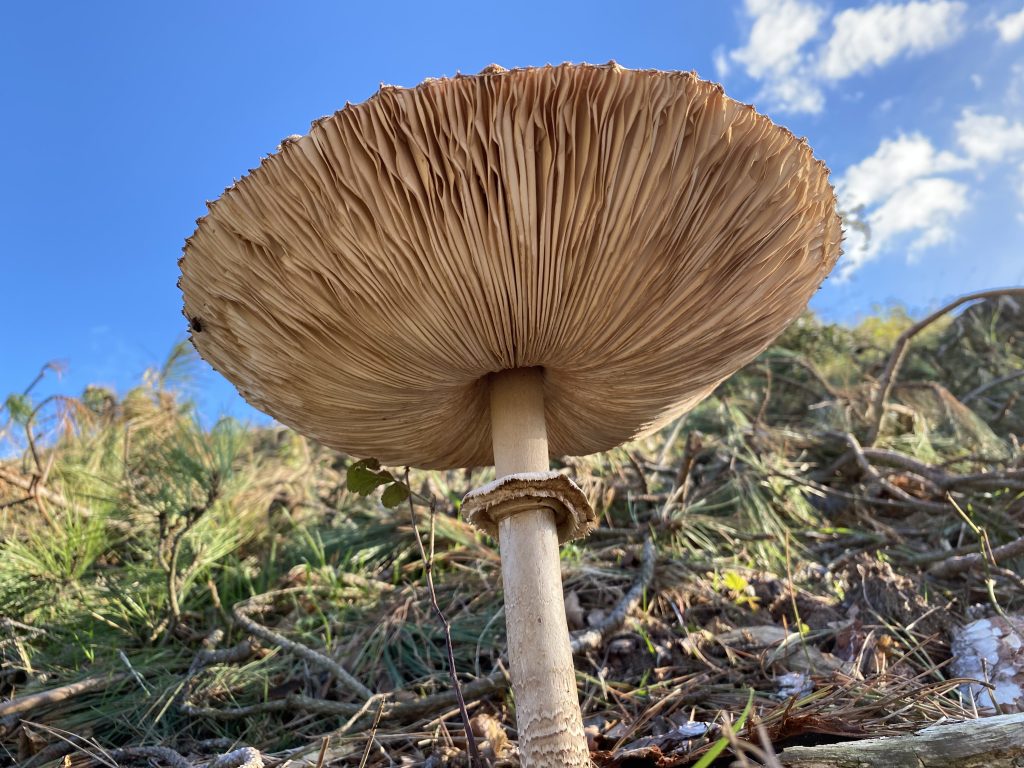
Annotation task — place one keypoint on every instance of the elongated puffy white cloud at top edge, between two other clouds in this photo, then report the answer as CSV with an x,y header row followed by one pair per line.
x,y
866,38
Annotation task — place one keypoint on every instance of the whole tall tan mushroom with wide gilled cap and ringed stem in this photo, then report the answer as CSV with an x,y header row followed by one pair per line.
x,y
505,267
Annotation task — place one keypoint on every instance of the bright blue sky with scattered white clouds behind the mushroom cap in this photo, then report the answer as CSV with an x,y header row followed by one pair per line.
x,y
121,119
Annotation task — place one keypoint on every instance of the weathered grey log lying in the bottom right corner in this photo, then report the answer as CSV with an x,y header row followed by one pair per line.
x,y
992,743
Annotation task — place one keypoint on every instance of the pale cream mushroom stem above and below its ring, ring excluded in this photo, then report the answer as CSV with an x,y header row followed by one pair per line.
x,y
548,715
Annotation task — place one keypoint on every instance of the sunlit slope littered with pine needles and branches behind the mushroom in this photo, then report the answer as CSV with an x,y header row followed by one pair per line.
x,y
787,566
